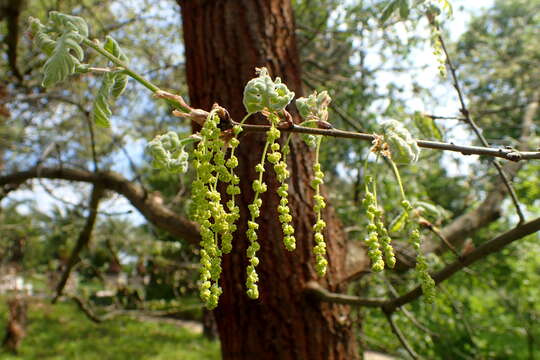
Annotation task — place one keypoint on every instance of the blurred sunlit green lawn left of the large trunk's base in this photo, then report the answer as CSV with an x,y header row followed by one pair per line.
x,y
63,332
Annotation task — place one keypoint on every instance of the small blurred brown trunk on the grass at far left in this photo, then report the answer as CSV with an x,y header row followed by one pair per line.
x,y
15,330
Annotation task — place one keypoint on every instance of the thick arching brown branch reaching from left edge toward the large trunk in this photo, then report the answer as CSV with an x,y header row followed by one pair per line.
x,y
149,205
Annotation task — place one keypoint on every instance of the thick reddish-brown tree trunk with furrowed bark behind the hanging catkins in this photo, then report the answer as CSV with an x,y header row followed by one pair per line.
x,y
224,42
